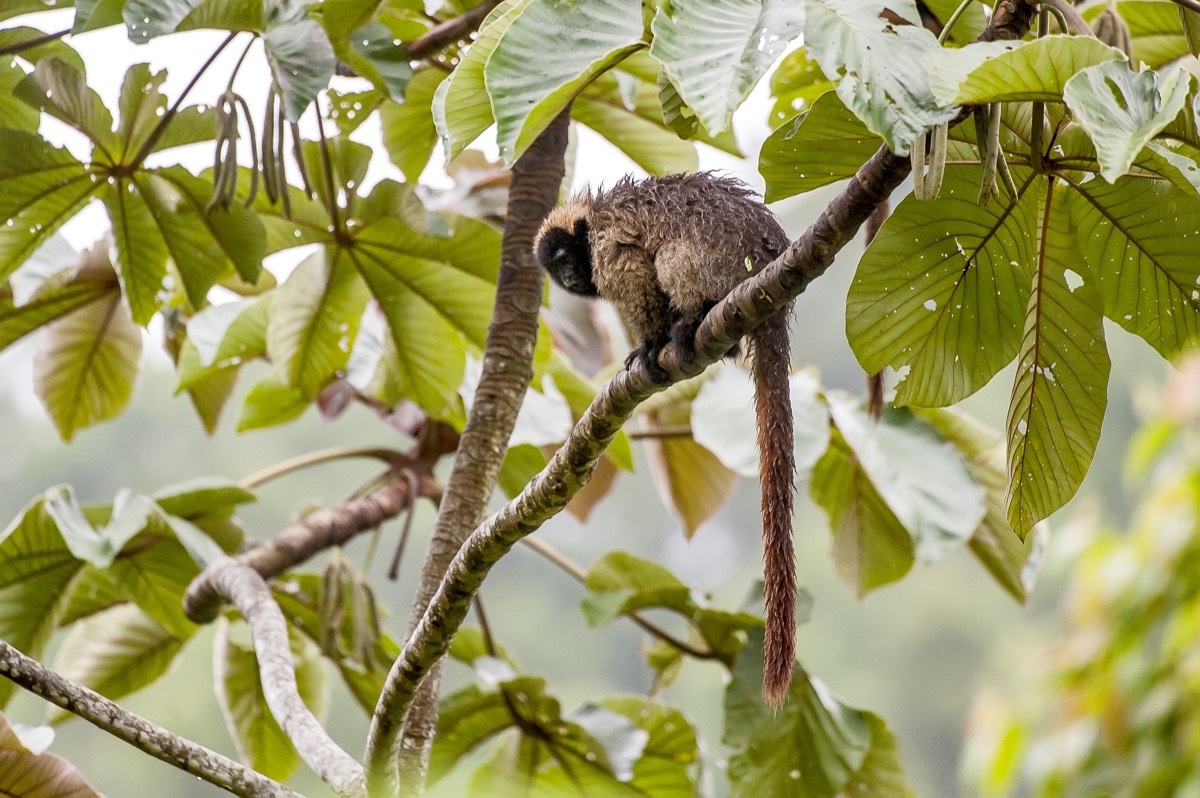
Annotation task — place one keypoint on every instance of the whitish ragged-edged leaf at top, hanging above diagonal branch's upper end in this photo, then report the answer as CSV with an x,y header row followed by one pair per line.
x,y
877,67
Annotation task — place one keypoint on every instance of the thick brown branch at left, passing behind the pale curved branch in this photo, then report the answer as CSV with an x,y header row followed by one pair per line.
x,y
320,531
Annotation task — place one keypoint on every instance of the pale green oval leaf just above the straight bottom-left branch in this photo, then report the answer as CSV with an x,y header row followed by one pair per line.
x,y
116,653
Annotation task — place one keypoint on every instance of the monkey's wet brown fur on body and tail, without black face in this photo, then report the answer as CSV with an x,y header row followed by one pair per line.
x,y
664,250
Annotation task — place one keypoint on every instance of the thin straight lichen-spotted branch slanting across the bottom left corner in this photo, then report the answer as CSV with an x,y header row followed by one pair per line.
x,y
141,734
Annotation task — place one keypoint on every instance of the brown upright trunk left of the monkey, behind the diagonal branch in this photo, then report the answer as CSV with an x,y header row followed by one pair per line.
x,y
508,370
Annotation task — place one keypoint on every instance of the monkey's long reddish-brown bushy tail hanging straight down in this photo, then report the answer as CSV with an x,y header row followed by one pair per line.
x,y
777,467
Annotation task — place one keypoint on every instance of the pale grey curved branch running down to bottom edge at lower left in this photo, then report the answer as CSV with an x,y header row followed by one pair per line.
x,y
277,673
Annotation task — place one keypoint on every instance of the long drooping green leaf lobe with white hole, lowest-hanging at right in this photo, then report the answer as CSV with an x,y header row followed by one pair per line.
x,y
1063,374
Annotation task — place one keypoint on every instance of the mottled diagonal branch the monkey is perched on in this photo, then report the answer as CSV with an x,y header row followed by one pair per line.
x,y
548,494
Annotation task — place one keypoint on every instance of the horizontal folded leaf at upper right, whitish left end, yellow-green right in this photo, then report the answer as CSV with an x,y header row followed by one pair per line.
x,y
1013,71
